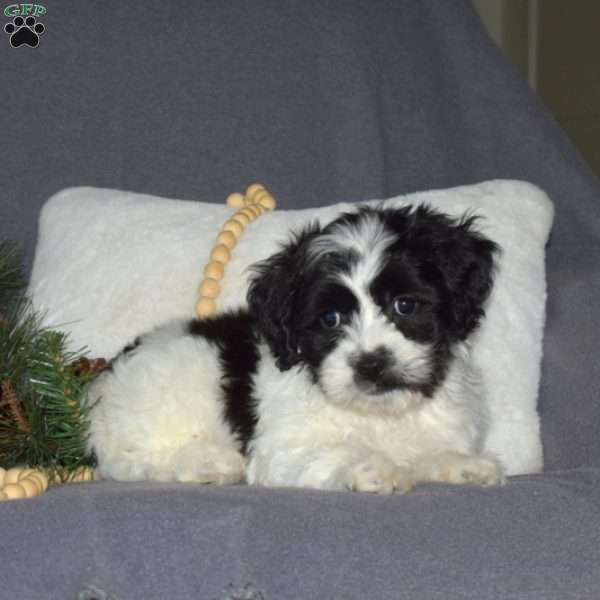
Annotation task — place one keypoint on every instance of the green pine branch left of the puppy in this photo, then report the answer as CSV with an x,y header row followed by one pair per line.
x,y
36,362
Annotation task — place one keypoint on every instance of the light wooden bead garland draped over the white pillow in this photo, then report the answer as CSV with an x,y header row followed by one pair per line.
x,y
254,203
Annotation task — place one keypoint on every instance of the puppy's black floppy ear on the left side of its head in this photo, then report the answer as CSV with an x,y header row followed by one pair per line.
x,y
276,287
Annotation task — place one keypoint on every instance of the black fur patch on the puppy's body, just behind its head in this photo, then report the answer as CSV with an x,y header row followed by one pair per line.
x,y
234,334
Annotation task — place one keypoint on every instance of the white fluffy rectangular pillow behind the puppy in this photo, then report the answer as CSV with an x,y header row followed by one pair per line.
x,y
110,265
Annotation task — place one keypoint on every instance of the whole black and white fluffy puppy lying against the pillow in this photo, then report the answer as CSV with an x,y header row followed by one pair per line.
x,y
351,368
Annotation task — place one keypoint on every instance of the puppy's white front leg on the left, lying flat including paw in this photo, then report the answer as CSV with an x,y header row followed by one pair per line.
x,y
333,468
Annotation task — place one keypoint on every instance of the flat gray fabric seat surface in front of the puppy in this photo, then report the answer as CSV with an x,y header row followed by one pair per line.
x,y
531,539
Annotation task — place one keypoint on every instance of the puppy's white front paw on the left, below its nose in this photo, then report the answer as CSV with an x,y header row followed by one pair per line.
x,y
378,475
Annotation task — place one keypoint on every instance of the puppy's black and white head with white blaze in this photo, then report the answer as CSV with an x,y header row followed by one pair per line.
x,y
373,303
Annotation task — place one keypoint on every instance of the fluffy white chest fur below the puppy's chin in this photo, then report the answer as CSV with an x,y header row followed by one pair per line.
x,y
300,434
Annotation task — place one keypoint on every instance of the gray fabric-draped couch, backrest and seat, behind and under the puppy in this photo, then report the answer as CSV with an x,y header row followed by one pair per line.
x,y
323,101
